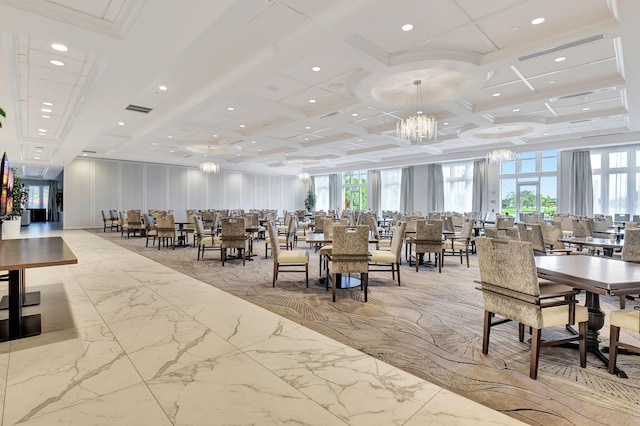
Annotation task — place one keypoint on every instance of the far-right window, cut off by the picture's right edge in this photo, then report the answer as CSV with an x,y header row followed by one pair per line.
x,y
616,180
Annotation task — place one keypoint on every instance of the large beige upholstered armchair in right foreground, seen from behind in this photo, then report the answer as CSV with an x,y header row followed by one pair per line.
x,y
509,282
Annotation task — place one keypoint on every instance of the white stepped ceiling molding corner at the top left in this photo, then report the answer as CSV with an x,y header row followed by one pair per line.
x,y
117,29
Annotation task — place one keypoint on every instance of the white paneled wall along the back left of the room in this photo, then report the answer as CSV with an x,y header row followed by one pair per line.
x,y
92,185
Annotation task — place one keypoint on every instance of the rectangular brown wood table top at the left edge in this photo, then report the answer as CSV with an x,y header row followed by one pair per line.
x,y
34,253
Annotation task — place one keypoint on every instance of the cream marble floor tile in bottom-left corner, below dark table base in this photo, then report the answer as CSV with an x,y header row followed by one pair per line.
x,y
60,369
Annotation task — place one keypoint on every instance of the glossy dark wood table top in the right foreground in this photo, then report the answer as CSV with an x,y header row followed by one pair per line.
x,y
600,275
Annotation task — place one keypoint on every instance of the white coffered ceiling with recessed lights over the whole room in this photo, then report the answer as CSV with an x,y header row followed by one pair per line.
x,y
256,56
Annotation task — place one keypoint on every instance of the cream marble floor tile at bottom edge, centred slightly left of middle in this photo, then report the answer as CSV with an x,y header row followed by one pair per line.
x,y
234,389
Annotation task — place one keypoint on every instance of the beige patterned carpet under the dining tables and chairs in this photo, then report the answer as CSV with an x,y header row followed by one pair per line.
x,y
431,326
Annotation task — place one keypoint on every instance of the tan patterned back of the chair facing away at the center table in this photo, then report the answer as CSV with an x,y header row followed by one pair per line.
x,y
350,252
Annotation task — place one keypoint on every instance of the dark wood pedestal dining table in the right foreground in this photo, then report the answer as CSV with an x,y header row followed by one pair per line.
x,y
596,275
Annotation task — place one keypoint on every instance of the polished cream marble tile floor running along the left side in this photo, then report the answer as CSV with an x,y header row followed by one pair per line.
x,y
128,341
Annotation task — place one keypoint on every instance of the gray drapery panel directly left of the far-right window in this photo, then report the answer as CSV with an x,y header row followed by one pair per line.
x,y
581,184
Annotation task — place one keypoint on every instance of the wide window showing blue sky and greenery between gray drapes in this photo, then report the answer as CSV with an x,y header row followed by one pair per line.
x,y
529,183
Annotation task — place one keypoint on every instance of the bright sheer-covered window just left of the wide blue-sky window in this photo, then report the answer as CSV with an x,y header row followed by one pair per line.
x,y
458,186
